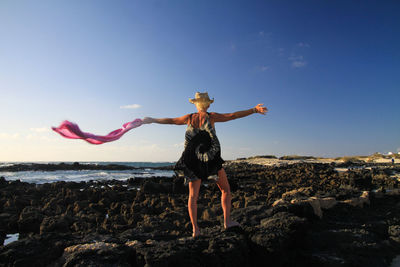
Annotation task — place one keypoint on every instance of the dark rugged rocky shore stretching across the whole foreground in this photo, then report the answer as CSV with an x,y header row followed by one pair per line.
x,y
301,214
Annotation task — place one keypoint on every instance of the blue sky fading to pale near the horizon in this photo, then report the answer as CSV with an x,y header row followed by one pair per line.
x,y
329,72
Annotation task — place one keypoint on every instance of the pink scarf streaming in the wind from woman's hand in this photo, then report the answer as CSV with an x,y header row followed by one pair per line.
x,y
71,130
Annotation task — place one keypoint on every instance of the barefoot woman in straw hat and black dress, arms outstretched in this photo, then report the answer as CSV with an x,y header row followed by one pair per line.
x,y
201,158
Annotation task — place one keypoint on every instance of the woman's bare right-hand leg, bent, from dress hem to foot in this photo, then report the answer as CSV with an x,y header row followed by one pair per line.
x,y
226,198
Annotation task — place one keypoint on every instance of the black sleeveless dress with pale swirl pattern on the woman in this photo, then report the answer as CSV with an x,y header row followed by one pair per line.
x,y
201,158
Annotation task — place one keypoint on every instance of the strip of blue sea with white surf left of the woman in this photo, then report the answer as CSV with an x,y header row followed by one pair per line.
x,y
40,177
